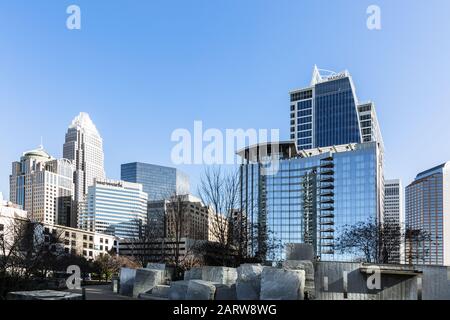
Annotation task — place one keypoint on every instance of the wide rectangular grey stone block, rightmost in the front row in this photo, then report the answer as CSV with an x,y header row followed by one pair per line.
x,y
282,284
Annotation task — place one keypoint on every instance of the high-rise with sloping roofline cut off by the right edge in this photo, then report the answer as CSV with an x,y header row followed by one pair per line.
x,y
428,210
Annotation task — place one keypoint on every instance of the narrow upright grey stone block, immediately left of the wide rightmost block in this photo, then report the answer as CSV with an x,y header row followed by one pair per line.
x,y
248,284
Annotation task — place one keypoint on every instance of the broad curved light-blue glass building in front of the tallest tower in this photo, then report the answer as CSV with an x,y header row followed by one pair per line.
x,y
310,196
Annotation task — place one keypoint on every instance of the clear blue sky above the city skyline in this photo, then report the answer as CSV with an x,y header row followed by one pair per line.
x,y
144,68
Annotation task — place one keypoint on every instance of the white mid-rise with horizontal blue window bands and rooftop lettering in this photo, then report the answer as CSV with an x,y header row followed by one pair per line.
x,y
117,208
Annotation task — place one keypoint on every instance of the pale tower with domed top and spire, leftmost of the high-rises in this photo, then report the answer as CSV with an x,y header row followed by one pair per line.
x,y
43,186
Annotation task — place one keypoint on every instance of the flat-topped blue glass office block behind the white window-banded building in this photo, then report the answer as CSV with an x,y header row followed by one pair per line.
x,y
159,182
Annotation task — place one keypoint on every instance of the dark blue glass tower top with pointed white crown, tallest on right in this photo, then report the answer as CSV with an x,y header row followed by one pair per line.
x,y
328,113
